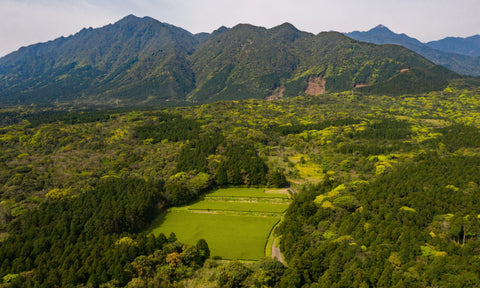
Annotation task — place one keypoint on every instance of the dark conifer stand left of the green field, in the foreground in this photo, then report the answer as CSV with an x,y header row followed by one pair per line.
x,y
89,239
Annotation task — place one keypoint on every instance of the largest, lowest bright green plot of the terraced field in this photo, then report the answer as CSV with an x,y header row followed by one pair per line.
x,y
240,237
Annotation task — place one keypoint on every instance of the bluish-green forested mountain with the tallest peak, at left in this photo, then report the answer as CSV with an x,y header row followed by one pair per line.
x,y
131,60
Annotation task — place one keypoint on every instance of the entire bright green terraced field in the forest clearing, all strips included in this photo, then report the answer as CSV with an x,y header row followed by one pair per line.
x,y
235,222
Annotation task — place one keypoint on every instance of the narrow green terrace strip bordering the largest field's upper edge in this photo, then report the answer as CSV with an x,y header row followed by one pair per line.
x,y
240,206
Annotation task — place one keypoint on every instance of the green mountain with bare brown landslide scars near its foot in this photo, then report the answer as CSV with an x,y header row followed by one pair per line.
x,y
253,62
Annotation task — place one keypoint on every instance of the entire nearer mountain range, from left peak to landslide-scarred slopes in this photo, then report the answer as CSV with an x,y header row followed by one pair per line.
x,y
141,61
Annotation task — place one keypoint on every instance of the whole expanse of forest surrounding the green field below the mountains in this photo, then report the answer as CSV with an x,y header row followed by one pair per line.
x,y
386,191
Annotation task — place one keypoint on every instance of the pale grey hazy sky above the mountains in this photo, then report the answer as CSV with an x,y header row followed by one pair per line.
x,y
25,22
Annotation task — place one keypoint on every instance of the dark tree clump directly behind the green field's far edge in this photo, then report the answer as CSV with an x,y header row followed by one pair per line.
x,y
210,161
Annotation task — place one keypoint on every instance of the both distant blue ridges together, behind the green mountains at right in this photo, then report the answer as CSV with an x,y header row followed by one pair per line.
x,y
457,54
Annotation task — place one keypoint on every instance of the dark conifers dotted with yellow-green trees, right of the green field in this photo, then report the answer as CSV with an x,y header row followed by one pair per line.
x,y
417,226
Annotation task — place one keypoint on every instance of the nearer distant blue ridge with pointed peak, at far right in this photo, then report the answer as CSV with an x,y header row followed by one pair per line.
x,y
463,64
